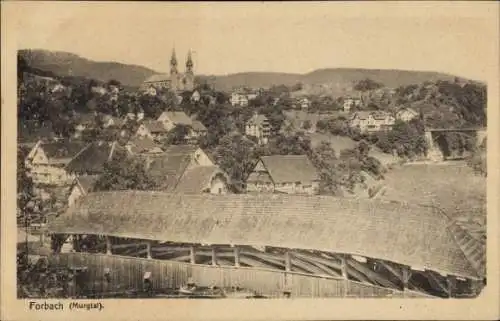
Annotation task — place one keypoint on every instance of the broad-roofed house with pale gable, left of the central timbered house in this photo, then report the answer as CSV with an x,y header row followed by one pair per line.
x,y
187,169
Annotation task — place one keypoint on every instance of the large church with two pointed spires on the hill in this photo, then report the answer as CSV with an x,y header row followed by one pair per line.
x,y
175,81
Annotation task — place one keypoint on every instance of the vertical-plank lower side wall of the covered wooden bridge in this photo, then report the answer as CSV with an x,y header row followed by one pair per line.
x,y
128,272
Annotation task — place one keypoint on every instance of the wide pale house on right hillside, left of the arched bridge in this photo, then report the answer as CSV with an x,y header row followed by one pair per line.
x,y
372,121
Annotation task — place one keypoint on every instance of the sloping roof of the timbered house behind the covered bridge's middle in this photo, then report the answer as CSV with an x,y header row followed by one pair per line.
x,y
290,168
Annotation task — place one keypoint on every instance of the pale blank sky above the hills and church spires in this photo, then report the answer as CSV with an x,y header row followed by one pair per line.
x,y
458,38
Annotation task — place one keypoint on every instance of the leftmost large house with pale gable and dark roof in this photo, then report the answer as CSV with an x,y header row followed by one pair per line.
x,y
47,162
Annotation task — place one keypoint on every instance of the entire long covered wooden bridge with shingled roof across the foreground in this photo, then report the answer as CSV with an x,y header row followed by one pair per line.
x,y
305,246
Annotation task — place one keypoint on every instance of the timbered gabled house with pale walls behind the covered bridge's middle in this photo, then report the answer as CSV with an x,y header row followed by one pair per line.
x,y
289,174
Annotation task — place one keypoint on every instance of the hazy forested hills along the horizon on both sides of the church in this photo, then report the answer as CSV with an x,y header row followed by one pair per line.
x,y
334,81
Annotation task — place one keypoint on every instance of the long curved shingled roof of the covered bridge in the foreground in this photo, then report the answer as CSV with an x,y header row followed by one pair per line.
x,y
411,235
